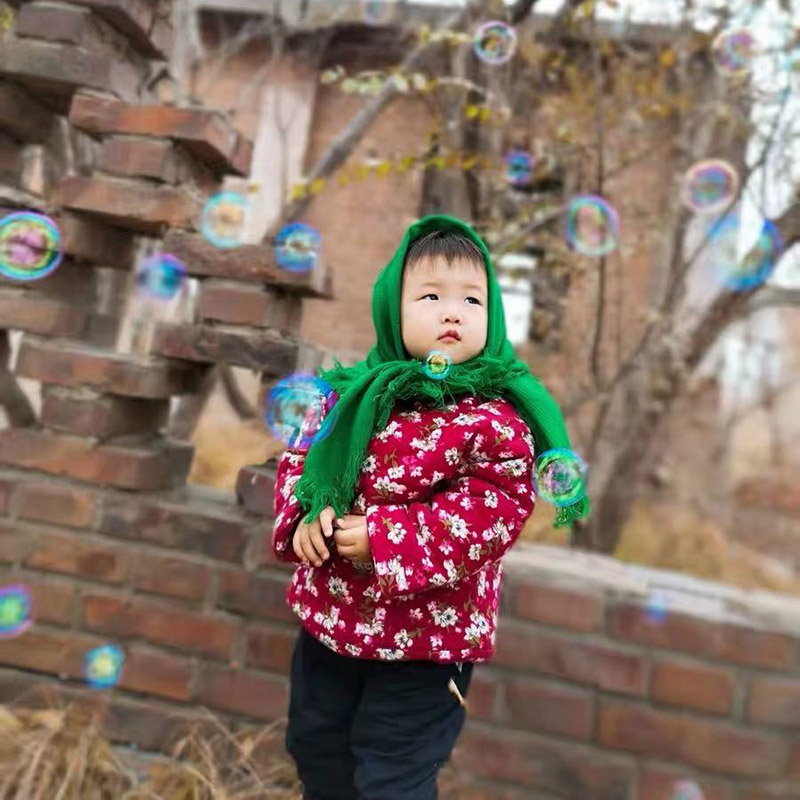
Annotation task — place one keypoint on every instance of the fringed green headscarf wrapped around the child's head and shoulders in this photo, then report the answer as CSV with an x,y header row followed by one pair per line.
x,y
369,390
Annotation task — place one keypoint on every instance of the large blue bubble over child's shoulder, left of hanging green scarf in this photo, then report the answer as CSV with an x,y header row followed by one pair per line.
x,y
296,410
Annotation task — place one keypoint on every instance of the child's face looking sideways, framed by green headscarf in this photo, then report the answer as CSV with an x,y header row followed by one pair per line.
x,y
439,297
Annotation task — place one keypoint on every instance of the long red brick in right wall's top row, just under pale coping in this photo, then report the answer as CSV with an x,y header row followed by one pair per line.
x,y
676,631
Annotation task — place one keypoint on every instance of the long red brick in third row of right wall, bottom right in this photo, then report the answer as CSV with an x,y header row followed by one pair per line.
x,y
714,746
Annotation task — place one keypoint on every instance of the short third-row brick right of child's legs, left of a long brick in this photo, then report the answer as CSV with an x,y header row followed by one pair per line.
x,y
546,707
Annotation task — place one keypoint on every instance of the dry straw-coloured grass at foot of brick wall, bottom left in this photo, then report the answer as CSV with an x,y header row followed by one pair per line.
x,y
62,754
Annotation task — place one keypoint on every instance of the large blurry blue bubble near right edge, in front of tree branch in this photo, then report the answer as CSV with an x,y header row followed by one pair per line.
x,y
739,270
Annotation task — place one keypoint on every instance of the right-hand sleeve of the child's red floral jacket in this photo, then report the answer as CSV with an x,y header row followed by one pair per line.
x,y
472,522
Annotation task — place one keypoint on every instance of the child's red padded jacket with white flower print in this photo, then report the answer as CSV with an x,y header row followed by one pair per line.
x,y
445,492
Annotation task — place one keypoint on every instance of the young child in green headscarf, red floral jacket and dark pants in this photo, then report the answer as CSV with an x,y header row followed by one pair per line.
x,y
398,518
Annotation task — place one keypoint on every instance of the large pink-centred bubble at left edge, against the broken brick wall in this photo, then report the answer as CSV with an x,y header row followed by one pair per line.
x,y
30,246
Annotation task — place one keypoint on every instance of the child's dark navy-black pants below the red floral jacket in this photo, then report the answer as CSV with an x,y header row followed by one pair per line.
x,y
361,729
